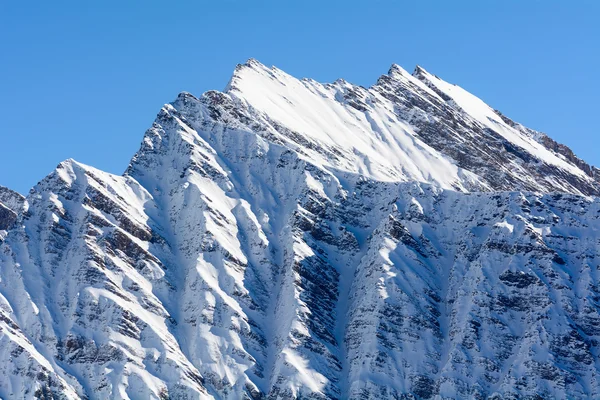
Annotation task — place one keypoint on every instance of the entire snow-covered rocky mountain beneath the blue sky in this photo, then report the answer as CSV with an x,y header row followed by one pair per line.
x,y
291,239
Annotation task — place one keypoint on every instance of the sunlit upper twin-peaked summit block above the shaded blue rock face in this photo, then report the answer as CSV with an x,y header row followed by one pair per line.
x,y
360,129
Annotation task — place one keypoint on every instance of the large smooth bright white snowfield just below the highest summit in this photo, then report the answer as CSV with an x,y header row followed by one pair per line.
x,y
375,144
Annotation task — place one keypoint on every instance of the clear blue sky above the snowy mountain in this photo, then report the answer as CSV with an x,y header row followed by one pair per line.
x,y
84,79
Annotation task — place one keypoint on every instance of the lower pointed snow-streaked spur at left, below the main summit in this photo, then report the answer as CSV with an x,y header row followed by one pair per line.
x,y
80,284
